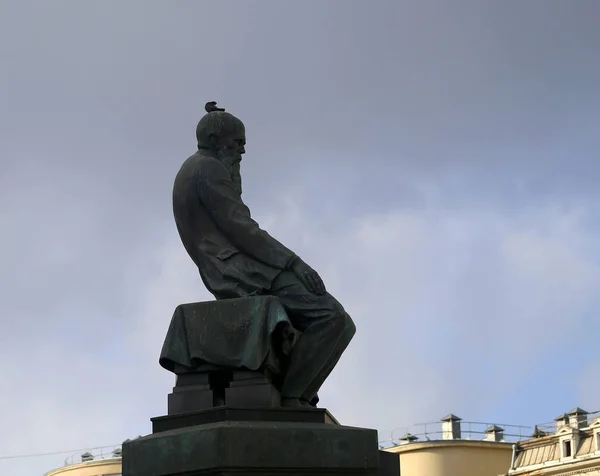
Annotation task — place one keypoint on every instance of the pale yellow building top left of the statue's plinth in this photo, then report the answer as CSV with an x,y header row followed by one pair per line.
x,y
95,463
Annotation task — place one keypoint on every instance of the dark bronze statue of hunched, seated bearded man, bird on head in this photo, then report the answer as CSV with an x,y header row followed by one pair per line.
x,y
236,258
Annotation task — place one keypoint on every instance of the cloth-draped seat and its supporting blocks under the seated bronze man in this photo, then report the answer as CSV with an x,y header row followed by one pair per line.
x,y
228,352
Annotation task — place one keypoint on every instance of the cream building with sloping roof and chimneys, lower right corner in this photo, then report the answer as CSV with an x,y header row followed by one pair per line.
x,y
571,448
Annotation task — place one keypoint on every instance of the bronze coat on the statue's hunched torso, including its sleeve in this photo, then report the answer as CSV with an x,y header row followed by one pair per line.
x,y
234,255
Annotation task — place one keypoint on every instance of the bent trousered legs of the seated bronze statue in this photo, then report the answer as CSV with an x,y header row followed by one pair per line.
x,y
326,332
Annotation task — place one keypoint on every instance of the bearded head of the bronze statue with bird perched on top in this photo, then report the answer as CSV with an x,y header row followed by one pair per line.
x,y
221,133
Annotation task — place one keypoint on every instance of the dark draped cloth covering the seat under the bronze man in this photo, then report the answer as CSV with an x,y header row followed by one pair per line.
x,y
251,333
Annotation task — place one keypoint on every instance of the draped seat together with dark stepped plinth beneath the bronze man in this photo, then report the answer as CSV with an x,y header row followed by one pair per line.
x,y
224,415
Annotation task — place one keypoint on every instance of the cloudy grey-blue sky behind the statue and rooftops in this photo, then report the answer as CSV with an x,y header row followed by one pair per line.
x,y
436,163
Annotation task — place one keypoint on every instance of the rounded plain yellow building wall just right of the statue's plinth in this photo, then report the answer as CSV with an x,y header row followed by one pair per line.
x,y
455,458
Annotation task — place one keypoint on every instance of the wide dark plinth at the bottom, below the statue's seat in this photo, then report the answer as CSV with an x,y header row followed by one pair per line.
x,y
262,448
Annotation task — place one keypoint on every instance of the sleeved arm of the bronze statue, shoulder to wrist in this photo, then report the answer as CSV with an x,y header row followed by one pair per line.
x,y
222,200
